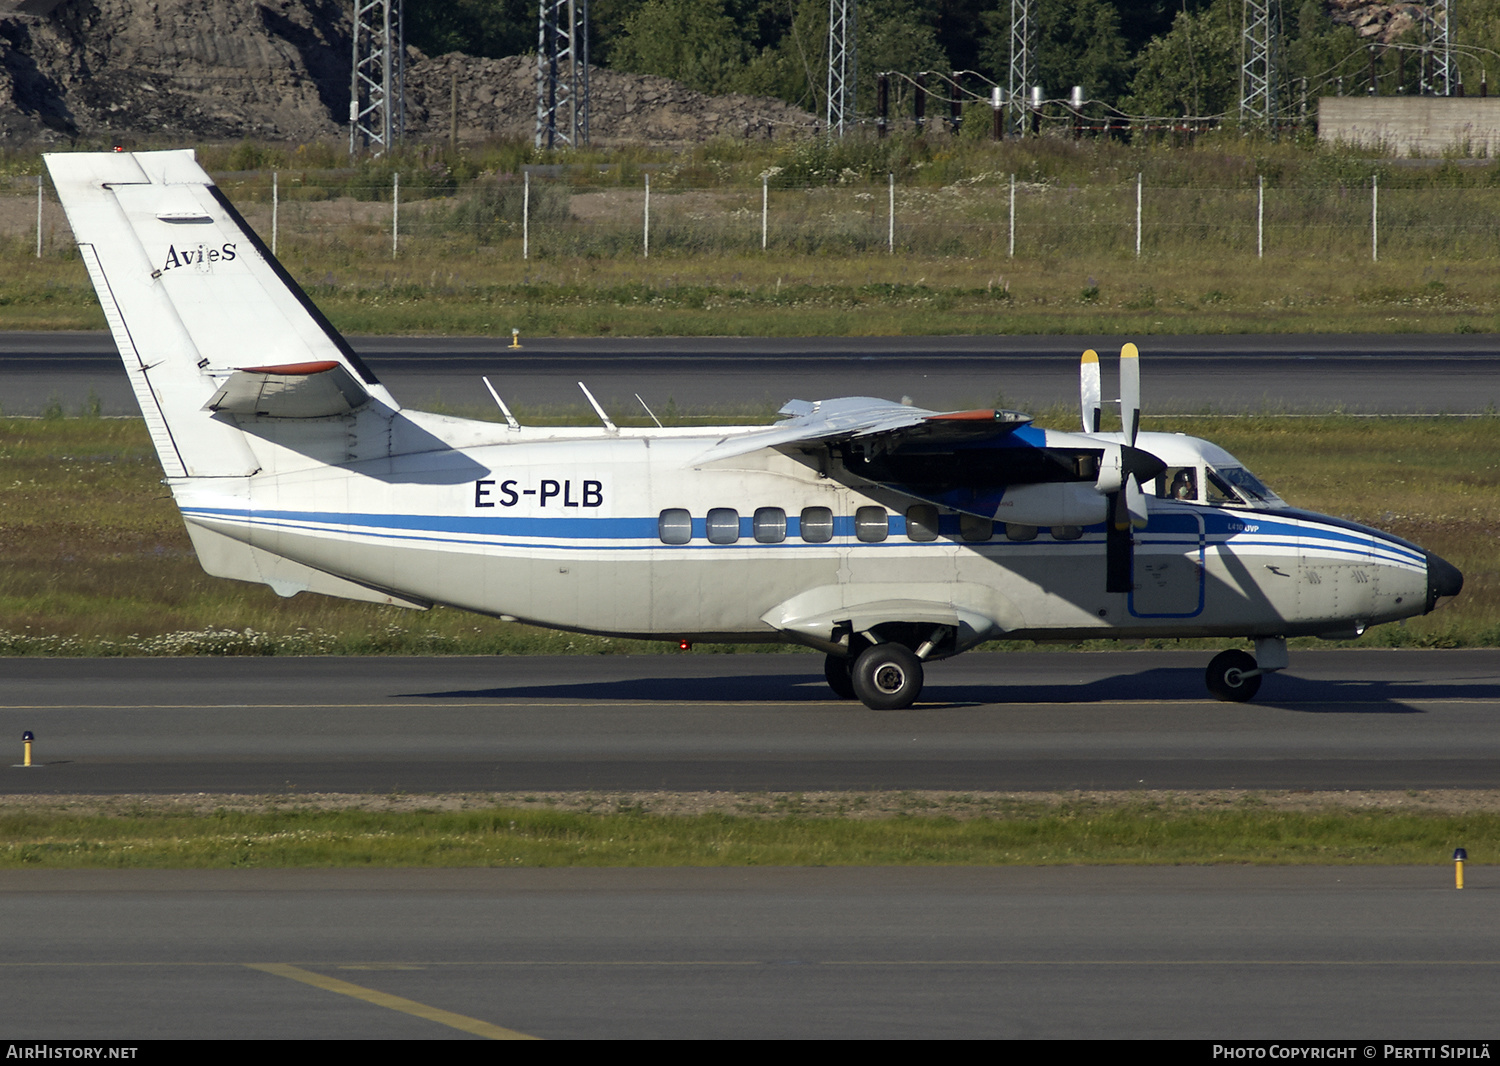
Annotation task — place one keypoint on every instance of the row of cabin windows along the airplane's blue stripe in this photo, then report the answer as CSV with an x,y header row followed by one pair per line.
x,y
815,526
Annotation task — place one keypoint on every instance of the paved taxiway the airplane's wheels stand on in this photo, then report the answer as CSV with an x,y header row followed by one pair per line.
x,y
1027,720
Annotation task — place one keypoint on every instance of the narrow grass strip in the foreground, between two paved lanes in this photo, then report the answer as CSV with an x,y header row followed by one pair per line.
x,y
766,831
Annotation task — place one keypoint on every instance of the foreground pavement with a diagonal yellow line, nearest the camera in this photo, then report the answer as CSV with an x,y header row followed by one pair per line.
x,y
1220,953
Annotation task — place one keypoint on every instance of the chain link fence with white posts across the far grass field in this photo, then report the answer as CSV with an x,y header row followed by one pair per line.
x,y
541,217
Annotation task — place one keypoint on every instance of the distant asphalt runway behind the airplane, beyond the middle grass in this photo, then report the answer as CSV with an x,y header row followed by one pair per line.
x,y
1405,374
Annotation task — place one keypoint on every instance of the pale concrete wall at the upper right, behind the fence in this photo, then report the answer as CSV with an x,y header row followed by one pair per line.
x,y
1414,125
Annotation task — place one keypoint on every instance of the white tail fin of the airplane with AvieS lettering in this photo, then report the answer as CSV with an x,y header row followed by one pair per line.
x,y
209,325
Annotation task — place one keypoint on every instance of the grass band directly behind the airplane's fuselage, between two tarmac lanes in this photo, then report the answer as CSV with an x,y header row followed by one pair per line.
x,y
98,561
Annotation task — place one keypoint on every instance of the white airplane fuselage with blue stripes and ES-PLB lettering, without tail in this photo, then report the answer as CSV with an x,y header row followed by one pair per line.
x,y
565,532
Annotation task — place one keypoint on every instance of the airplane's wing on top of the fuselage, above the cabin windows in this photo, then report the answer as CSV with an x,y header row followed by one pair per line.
x,y
881,425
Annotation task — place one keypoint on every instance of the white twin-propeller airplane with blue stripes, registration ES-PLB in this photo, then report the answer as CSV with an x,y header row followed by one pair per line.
x,y
883,534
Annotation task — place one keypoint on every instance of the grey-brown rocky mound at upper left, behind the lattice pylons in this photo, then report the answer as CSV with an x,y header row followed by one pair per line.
x,y
118,71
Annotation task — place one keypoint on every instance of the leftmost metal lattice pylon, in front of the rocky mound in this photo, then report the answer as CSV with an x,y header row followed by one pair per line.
x,y
379,91
